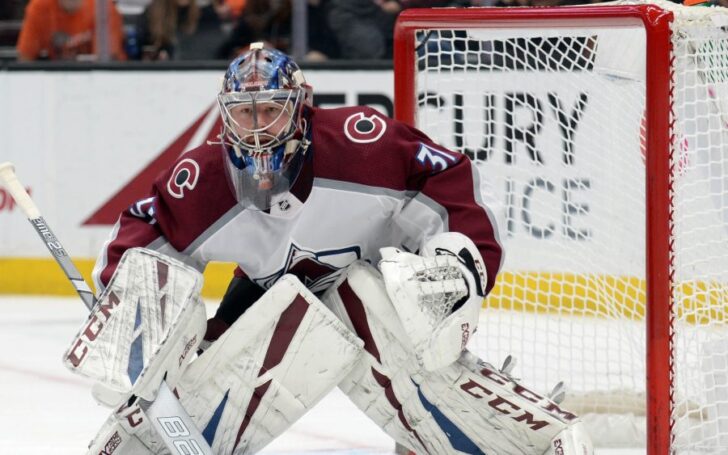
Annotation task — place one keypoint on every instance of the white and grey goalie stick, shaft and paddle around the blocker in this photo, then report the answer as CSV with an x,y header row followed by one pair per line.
x,y
167,415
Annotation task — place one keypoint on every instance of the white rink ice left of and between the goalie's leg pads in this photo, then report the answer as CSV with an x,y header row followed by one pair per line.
x,y
45,409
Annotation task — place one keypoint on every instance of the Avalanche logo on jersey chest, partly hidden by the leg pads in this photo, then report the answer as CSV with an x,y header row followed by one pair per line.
x,y
317,270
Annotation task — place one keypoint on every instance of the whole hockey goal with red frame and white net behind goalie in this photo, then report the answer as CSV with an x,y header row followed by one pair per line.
x,y
602,132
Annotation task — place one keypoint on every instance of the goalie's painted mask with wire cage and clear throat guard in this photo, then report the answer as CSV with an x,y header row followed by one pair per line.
x,y
265,130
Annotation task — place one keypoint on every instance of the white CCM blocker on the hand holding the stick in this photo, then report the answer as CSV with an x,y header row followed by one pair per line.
x,y
144,326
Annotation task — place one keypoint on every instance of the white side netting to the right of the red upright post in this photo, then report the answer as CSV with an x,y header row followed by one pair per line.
x,y
700,287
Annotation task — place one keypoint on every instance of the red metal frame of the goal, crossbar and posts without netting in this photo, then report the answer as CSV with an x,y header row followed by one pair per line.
x,y
659,140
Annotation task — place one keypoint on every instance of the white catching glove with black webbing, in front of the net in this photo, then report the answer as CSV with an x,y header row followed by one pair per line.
x,y
437,295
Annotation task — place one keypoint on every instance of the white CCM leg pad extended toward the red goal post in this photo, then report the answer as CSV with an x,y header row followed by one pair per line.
x,y
467,407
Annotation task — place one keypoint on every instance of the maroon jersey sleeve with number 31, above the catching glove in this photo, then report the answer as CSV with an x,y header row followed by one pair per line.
x,y
440,189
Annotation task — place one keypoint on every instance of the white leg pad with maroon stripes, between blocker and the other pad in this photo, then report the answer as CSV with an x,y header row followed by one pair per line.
x,y
282,356
